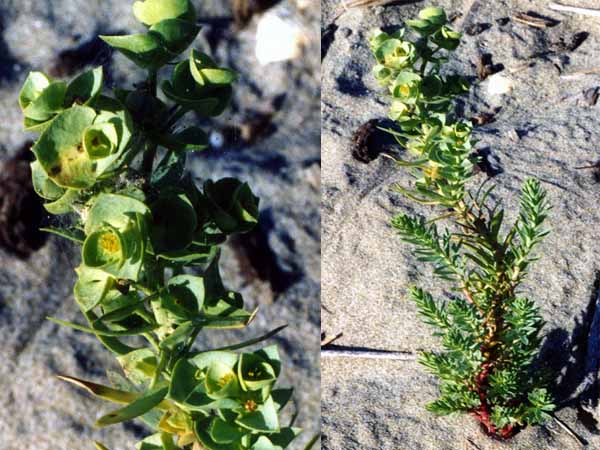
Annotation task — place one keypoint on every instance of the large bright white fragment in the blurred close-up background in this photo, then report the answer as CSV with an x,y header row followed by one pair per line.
x,y
277,39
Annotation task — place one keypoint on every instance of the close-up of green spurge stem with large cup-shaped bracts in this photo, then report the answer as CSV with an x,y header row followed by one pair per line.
x,y
150,241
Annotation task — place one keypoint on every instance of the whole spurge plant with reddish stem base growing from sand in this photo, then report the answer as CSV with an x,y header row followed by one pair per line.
x,y
489,331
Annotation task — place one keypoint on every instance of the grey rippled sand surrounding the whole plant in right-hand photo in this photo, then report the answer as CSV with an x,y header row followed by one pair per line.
x,y
545,127
